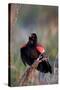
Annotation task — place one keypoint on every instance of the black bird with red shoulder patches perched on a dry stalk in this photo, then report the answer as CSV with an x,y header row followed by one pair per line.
x,y
31,51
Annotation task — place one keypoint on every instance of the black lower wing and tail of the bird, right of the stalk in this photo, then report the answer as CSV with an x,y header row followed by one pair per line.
x,y
44,66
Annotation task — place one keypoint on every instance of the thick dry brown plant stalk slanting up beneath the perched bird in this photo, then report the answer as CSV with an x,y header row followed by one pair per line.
x,y
26,77
